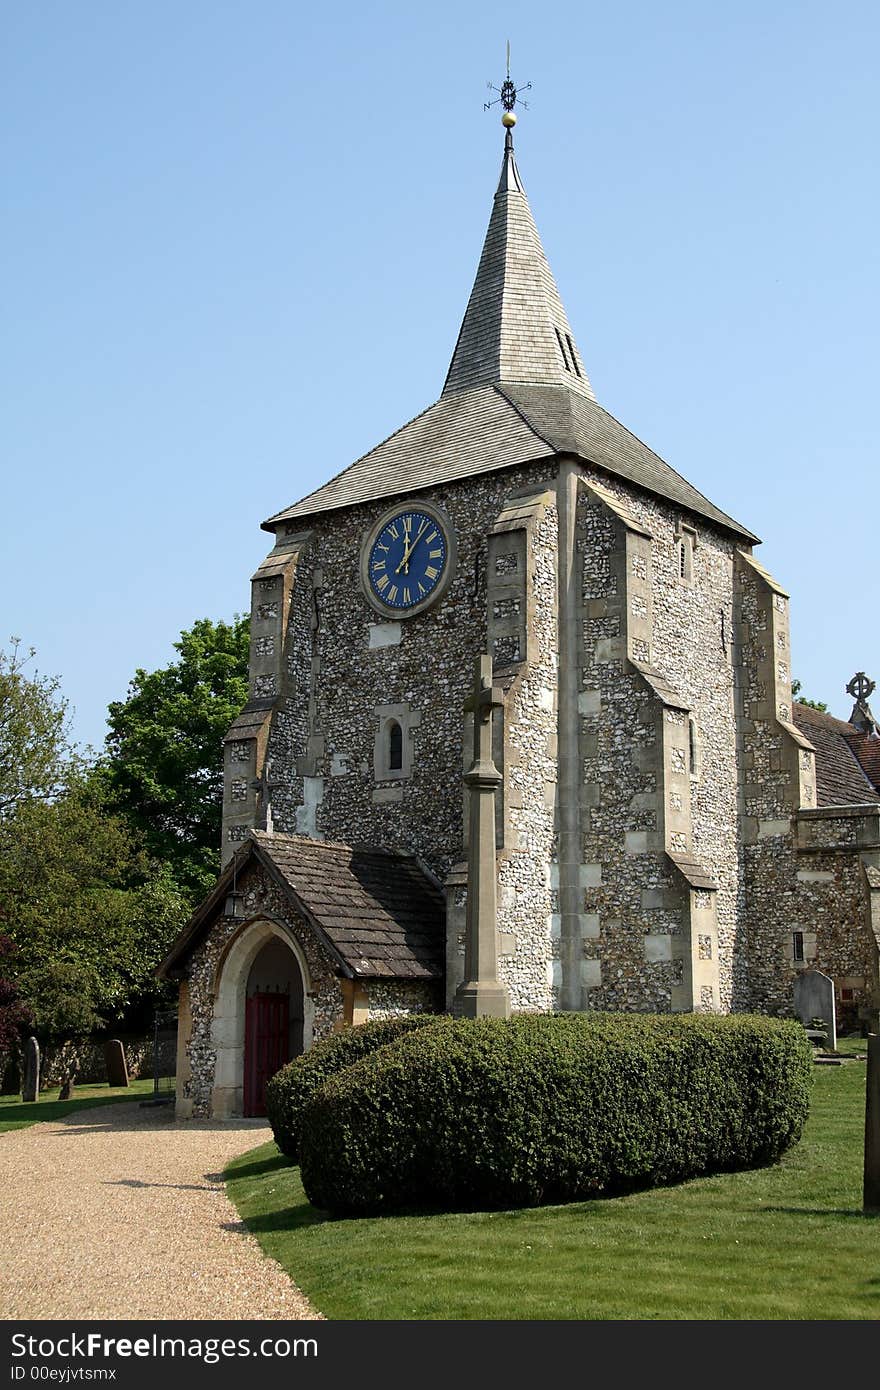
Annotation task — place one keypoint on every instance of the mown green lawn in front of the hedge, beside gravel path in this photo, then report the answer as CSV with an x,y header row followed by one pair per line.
x,y
788,1242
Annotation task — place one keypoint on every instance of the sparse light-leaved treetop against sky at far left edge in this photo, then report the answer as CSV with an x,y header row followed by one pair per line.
x,y
34,732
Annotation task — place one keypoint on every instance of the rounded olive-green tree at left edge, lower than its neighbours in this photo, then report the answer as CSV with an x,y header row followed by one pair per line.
x,y
90,914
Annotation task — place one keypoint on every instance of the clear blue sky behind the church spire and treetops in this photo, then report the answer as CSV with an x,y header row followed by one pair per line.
x,y
238,241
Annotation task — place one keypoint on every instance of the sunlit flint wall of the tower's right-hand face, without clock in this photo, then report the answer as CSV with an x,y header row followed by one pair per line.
x,y
632,896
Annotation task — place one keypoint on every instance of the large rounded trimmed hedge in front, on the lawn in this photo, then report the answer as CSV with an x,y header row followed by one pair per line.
x,y
547,1109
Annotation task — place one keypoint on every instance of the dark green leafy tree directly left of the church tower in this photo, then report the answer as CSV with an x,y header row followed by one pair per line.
x,y
165,750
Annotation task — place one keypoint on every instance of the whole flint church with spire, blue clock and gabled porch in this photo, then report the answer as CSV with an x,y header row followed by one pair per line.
x,y
668,829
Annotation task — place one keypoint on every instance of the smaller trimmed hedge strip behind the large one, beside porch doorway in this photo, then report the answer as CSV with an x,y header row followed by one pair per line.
x,y
294,1086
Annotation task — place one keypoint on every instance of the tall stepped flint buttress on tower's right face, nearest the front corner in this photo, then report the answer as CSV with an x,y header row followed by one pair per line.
x,y
643,926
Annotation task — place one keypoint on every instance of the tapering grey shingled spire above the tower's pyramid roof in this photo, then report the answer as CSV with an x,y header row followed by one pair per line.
x,y
515,329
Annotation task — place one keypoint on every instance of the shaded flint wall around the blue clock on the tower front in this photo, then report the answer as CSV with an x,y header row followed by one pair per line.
x,y
325,736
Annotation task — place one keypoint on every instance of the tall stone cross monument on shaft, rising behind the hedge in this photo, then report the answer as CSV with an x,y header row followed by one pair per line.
x,y
482,993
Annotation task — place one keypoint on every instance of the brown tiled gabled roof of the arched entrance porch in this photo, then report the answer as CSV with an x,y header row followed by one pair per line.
x,y
377,913
